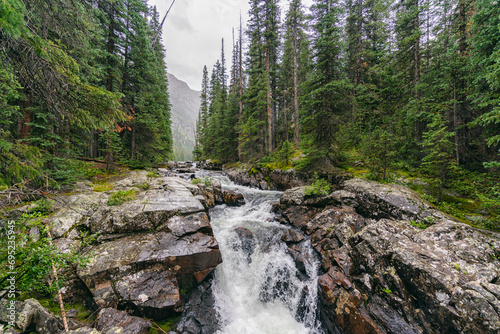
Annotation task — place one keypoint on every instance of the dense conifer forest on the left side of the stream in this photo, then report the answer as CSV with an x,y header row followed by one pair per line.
x,y
82,79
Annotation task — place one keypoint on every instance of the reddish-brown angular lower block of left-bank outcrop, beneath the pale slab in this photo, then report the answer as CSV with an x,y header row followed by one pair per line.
x,y
151,258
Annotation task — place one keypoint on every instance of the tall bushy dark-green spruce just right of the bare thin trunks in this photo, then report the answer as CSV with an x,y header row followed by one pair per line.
x,y
327,99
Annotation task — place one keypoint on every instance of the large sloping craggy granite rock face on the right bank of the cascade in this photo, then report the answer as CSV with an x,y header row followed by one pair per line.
x,y
383,275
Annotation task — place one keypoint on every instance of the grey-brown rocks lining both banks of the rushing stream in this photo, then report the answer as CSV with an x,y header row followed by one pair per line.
x,y
390,262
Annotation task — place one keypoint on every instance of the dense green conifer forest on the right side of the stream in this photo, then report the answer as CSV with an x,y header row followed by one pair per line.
x,y
407,85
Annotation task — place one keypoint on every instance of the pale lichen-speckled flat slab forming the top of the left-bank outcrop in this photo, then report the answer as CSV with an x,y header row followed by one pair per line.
x,y
165,198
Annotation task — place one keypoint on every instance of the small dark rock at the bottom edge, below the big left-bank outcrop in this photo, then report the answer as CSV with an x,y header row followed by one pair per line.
x,y
113,321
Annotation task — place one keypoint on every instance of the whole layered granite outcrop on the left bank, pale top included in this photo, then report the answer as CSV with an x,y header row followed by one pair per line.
x,y
148,250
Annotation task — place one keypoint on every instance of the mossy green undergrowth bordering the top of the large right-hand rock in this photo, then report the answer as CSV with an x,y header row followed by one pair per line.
x,y
471,196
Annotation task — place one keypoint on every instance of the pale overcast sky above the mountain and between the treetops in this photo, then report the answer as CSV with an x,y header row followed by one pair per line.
x,y
193,31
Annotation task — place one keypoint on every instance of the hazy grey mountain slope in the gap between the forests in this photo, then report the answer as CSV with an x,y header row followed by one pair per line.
x,y
185,106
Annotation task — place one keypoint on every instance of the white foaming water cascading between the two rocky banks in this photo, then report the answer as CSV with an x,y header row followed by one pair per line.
x,y
258,288
